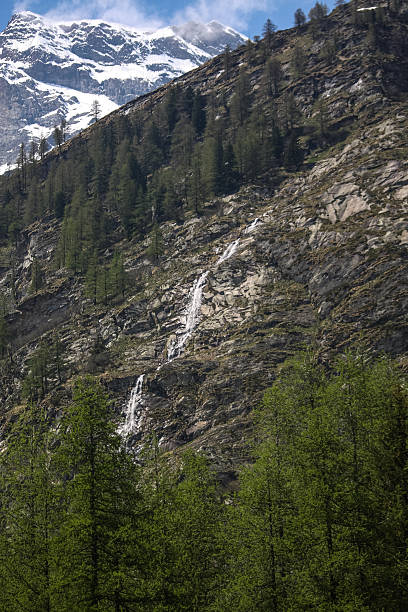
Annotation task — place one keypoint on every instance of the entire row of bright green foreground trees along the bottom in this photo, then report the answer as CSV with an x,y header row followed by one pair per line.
x,y
319,521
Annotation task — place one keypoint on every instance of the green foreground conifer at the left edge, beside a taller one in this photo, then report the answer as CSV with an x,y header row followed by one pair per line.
x,y
28,516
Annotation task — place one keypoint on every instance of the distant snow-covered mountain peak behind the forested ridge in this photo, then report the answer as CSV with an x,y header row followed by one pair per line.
x,y
50,71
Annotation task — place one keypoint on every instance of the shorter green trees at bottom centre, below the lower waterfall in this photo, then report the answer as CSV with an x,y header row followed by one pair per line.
x,y
186,556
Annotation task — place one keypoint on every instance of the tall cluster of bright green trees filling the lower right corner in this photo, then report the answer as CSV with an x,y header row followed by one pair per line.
x,y
313,521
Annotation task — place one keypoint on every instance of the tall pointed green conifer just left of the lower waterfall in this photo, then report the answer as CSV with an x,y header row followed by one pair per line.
x,y
100,508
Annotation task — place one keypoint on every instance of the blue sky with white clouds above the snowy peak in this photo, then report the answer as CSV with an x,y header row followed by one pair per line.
x,y
247,16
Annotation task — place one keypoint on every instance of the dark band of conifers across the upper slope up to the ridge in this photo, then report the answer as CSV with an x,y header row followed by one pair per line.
x,y
166,157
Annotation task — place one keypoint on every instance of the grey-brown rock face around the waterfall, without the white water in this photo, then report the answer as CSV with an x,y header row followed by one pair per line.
x,y
304,275
